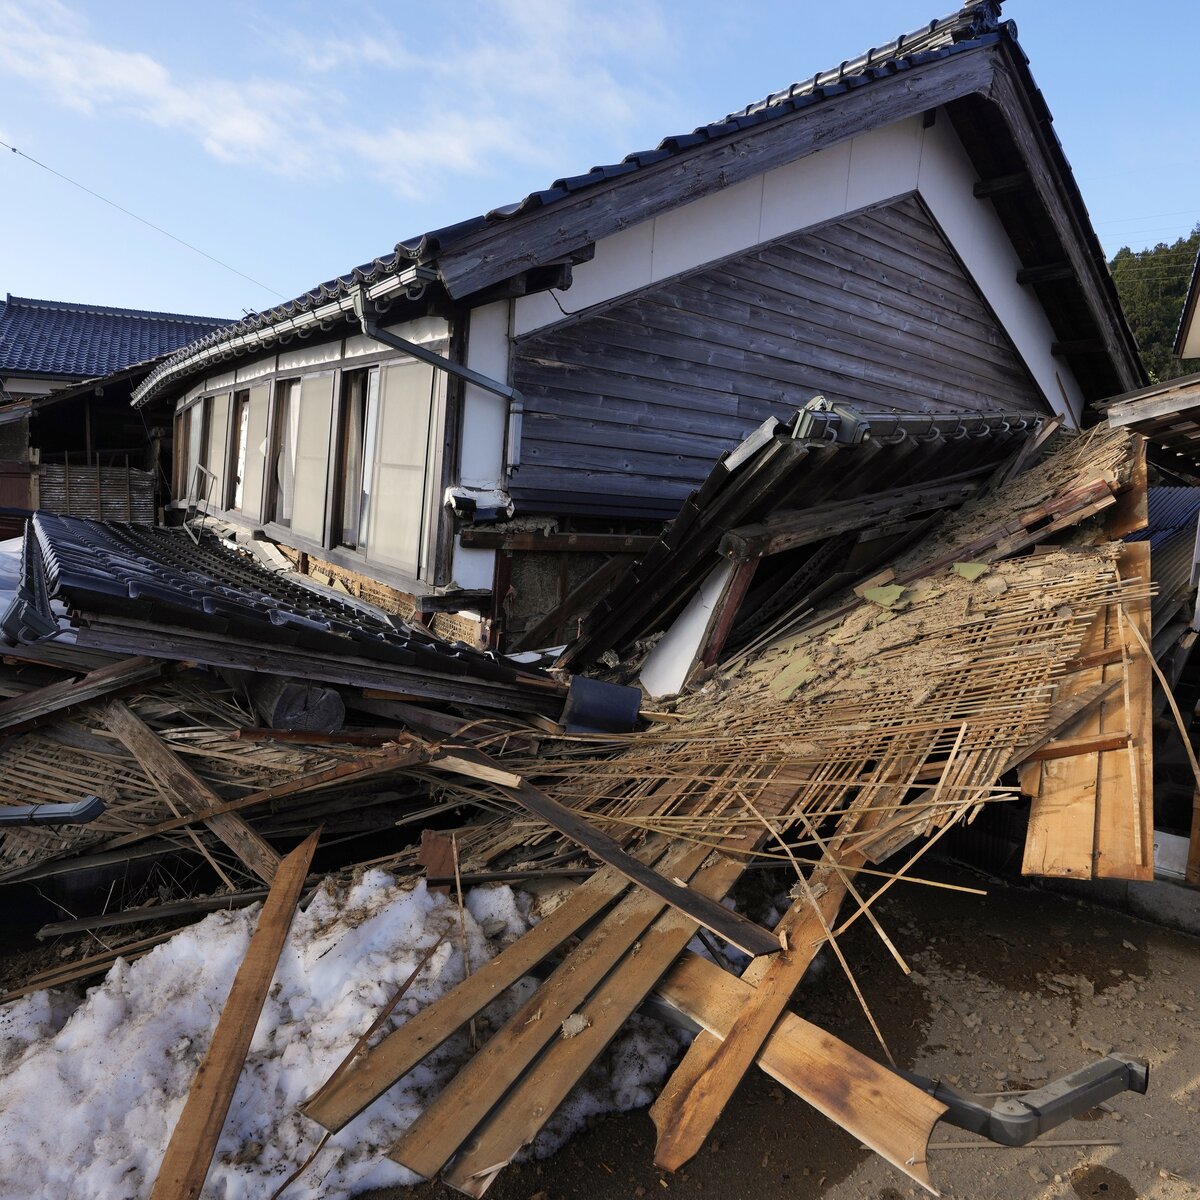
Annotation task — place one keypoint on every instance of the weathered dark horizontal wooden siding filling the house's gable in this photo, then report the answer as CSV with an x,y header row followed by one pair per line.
x,y
628,406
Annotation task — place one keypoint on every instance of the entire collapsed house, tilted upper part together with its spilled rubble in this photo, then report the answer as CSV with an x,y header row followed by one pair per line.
x,y
850,579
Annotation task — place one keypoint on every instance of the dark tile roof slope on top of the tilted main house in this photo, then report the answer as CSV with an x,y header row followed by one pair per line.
x,y
976,23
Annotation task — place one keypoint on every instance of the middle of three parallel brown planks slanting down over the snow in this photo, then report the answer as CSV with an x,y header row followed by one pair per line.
x,y
437,1135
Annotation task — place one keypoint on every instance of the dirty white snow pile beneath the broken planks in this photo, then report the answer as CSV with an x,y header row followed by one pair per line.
x,y
89,1097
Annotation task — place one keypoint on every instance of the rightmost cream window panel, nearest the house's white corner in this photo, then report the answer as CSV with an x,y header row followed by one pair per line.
x,y
399,506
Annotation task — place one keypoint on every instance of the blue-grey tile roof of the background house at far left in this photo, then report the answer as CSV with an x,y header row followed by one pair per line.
x,y
83,341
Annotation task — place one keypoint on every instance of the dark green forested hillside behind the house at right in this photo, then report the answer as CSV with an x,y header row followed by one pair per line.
x,y
1153,285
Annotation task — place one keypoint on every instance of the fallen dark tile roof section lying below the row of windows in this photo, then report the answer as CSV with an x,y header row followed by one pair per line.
x,y
207,603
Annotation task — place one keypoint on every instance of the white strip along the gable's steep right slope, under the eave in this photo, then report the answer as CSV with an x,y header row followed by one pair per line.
x,y
979,238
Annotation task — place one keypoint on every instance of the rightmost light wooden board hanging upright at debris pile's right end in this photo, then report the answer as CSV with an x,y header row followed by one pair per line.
x,y
1125,831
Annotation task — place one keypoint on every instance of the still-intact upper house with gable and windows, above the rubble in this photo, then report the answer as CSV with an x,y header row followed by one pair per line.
x,y
903,232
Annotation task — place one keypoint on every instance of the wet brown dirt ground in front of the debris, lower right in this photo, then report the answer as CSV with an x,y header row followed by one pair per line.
x,y
1009,992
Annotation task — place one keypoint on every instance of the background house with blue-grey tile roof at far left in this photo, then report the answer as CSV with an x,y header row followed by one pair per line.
x,y
65,445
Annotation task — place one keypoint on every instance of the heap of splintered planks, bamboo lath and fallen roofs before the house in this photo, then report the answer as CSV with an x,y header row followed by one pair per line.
x,y
861,634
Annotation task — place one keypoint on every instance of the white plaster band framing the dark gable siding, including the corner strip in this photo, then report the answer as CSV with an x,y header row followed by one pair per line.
x,y
871,170
